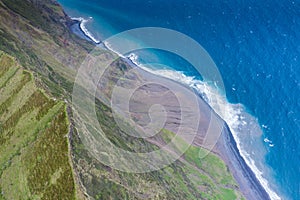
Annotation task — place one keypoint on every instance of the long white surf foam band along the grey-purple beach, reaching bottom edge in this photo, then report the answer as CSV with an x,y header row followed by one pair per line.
x,y
230,113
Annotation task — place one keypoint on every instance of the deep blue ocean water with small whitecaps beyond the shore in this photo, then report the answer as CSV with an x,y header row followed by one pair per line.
x,y
256,46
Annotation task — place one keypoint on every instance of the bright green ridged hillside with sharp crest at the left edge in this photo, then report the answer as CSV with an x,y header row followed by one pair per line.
x,y
34,155
